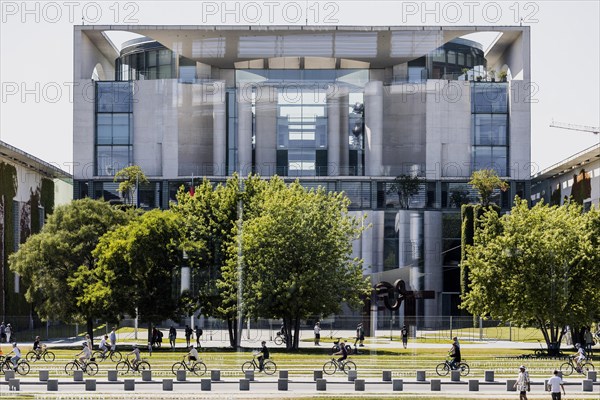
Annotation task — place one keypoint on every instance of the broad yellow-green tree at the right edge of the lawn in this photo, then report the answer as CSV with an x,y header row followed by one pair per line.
x,y
536,267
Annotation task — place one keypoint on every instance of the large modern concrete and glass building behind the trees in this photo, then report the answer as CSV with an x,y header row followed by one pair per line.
x,y
347,108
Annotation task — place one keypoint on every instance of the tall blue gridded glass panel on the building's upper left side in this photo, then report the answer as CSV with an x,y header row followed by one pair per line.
x,y
114,117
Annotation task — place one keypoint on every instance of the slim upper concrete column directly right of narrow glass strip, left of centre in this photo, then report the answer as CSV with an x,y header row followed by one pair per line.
x,y
244,110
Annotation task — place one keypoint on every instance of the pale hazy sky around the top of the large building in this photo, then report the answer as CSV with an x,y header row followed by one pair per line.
x,y
36,56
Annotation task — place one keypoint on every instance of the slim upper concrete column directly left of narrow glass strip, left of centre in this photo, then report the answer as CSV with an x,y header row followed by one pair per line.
x,y
219,130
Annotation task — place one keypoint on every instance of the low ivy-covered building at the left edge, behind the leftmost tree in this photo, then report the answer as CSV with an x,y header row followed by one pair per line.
x,y
30,189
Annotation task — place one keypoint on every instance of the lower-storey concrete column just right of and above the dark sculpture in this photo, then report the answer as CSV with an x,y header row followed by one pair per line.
x,y
434,276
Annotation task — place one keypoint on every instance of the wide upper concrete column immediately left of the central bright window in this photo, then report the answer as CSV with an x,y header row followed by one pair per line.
x,y
266,131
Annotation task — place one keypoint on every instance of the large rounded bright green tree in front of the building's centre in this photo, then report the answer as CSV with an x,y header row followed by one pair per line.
x,y
296,256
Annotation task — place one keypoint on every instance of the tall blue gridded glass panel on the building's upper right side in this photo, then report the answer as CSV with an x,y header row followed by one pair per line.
x,y
489,113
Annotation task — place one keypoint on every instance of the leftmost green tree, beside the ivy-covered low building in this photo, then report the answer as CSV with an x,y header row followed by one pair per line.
x,y
47,260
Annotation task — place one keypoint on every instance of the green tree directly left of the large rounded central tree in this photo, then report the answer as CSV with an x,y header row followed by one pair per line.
x,y
210,218
